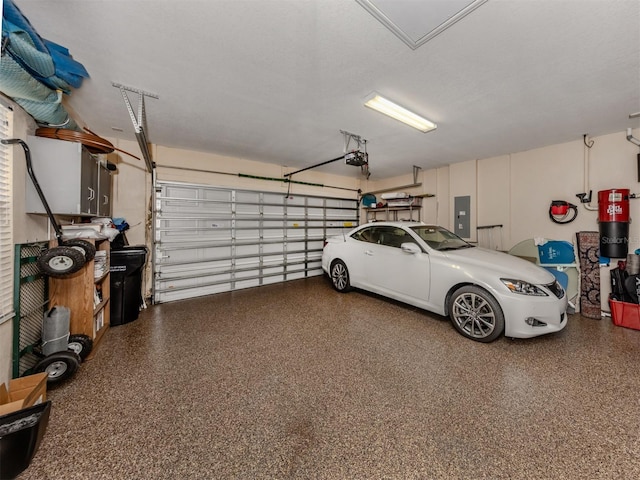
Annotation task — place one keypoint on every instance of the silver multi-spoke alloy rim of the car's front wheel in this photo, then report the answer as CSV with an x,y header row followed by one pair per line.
x,y
474,315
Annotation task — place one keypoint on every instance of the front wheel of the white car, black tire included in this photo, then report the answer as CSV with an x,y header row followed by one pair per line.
x,y
476,314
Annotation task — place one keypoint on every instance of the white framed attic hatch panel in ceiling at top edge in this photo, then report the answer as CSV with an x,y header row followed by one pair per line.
x,y
415,23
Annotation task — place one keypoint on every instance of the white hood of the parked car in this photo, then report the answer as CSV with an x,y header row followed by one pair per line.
x,y
503,264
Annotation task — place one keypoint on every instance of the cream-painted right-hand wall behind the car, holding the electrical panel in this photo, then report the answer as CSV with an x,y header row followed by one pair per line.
x,y
516,190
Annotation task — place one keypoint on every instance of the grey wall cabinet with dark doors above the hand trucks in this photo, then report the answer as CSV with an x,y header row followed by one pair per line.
x,y
72,179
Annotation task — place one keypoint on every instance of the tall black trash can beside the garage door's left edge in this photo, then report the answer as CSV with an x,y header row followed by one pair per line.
x,y
127,265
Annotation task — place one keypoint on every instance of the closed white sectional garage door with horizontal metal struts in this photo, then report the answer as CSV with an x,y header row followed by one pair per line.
x,y
211,239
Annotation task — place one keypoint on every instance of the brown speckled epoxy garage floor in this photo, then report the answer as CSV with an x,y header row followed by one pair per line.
x,y
298,381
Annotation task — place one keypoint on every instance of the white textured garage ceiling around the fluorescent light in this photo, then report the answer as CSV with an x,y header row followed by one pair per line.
x,y
276,80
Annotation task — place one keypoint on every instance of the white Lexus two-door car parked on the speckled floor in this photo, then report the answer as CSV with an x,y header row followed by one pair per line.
x,y
485,293
